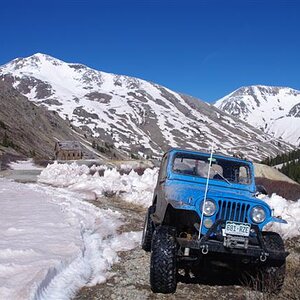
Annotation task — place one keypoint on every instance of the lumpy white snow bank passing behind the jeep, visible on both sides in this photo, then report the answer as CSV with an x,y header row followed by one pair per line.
x,y
139,190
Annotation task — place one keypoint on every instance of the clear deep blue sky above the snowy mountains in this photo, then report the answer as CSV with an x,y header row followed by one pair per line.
x,y
204,48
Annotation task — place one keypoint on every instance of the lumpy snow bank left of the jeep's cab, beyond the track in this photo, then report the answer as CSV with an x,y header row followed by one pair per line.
x,y
132,187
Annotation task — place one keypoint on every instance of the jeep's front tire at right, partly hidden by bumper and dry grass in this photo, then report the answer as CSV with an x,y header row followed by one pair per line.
x,y
271,278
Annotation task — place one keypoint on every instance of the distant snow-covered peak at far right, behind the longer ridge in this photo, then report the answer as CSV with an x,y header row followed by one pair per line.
x,y
275,110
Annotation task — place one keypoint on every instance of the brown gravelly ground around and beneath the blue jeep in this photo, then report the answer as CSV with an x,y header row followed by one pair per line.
x,y
130,277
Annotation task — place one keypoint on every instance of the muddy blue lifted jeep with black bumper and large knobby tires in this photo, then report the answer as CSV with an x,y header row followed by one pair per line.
x,y
205,211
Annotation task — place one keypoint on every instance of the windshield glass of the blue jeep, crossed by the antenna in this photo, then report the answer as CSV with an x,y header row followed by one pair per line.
x,y
231,171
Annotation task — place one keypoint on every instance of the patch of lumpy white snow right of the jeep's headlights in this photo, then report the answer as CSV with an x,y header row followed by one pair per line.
x,y
289,211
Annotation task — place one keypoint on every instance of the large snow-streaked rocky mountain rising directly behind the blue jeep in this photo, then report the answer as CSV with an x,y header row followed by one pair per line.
x,y
132,114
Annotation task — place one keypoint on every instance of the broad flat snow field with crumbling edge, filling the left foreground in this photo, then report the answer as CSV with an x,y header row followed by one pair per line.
x,y
52,243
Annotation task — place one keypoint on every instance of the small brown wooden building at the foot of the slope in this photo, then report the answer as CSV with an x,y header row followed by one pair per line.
x,y
68,150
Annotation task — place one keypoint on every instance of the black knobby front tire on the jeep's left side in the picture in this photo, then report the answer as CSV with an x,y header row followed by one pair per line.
x,y
163,270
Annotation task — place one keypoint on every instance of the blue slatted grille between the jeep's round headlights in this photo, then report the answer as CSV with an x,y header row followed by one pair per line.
x,y
233,211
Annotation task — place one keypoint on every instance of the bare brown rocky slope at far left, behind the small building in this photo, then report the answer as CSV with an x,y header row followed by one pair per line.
x,y
29,129
